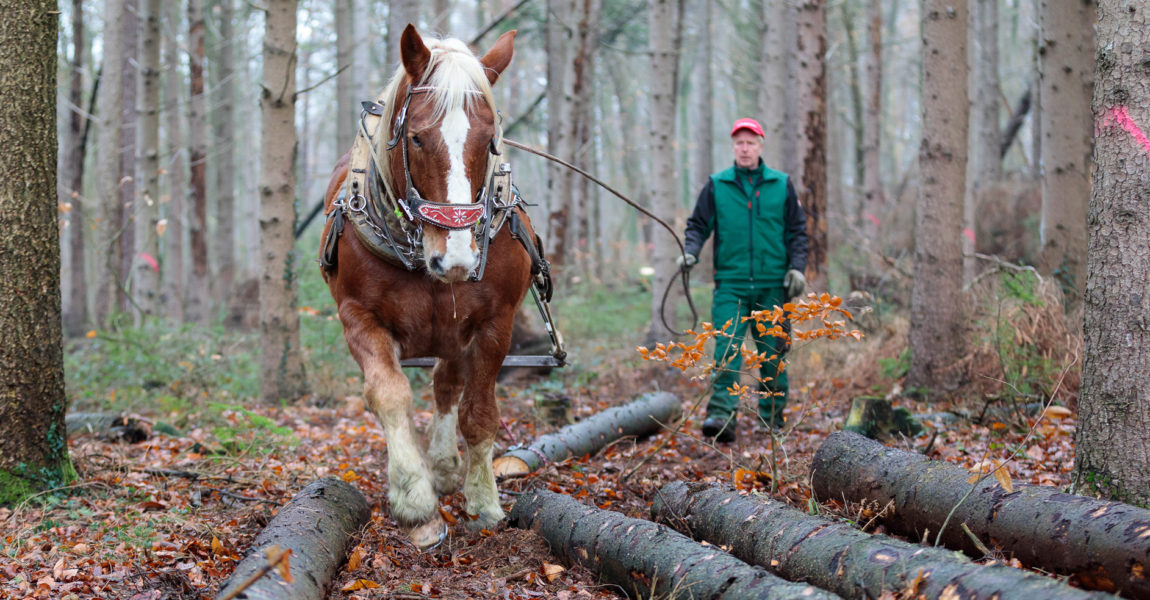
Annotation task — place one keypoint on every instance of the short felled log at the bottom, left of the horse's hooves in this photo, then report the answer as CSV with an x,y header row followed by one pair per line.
x,y
318,527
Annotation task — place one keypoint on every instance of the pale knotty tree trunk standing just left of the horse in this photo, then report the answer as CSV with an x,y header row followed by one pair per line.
x,y
281,364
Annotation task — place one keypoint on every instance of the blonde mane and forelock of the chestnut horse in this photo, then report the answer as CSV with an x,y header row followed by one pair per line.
x,y
455,78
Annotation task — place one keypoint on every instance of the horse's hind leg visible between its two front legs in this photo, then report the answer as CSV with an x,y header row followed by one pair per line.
x,y
443,451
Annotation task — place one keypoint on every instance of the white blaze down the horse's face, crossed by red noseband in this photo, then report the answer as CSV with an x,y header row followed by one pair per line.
x,y
461,256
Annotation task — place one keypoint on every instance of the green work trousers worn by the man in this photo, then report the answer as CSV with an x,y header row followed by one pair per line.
x,y
733,303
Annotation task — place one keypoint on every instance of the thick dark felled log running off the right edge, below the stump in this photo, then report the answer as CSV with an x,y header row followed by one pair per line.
x,y
1103,545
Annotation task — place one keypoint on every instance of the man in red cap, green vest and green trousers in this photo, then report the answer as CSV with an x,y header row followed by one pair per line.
x,y
760,257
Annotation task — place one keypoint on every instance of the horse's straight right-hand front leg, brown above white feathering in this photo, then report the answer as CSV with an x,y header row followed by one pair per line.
x,y
479,420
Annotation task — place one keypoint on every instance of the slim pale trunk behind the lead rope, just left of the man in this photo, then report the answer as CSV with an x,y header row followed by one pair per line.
x,y
665,44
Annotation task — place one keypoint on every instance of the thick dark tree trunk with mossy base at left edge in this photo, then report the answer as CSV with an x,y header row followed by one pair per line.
x,y
34,452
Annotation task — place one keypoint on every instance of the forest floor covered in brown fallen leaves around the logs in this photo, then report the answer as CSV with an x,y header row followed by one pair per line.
x,y
171,517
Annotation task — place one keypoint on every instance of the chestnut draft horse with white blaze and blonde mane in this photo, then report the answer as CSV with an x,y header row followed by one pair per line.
x,y
439,141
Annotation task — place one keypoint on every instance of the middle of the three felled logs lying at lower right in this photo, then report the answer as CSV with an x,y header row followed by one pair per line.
x,y
839,558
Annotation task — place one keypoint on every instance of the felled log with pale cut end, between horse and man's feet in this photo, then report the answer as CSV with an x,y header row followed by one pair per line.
x,y
641,418
